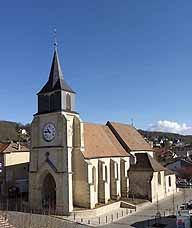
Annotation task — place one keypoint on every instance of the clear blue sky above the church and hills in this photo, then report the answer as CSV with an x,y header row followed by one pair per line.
x,y
128,61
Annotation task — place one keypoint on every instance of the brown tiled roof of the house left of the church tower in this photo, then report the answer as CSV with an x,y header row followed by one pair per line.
x,y
12,148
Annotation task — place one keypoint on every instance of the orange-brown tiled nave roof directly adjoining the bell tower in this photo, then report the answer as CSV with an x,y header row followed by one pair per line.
x,y
100,142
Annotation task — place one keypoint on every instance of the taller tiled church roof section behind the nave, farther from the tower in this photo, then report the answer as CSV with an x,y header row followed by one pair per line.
x,y
129,137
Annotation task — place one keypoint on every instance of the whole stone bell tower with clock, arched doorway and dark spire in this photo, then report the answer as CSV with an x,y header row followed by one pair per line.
x,y
50,176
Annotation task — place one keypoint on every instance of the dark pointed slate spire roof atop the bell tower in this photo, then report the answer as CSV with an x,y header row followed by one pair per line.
x,y
56,80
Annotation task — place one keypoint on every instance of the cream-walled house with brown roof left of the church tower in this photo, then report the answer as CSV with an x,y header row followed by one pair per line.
x,y
14,167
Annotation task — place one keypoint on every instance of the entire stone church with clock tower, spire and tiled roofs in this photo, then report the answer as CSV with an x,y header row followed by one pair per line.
x,y
79,164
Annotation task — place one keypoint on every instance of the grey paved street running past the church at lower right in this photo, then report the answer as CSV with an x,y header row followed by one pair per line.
x,y
146,217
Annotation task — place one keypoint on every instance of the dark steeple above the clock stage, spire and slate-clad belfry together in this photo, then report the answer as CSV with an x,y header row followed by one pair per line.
x,y
56,94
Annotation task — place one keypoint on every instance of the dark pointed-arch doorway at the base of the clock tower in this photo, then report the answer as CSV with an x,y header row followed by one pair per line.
x,y
49,193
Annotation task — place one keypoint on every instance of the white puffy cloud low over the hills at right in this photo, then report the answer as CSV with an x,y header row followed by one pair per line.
x,y
171,126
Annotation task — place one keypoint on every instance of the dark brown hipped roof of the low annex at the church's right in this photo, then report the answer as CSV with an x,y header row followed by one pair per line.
x,y
146,163
